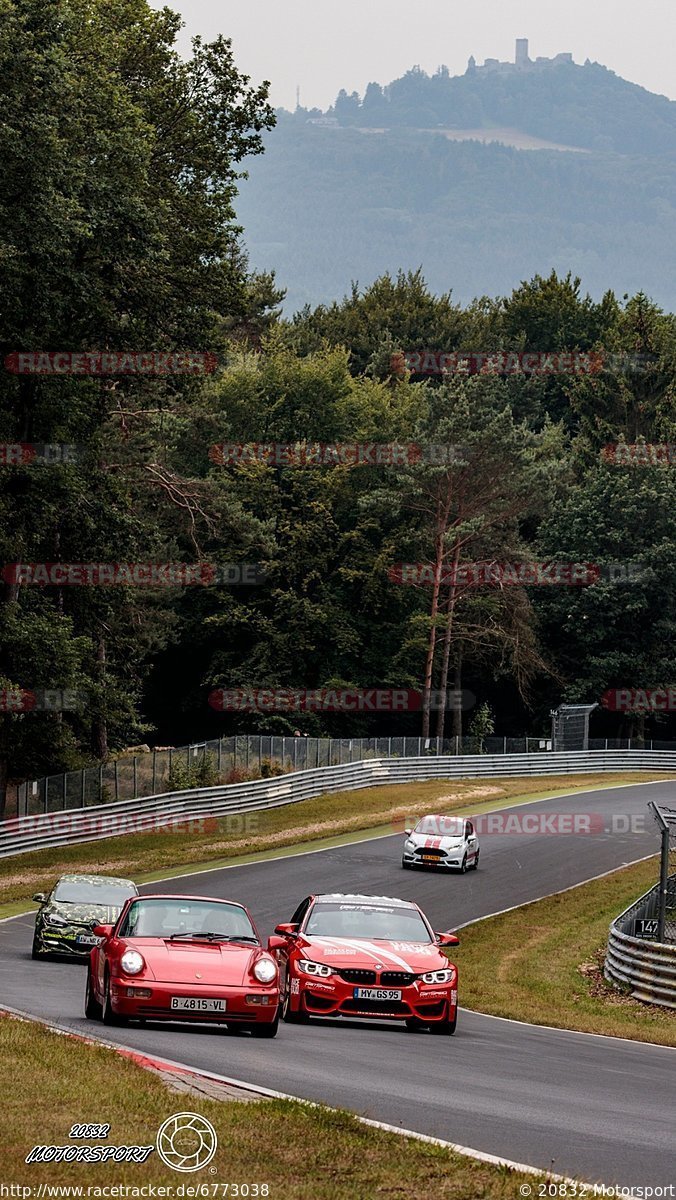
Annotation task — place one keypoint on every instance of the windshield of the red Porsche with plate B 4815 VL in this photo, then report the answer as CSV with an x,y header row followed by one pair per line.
x,y
188,919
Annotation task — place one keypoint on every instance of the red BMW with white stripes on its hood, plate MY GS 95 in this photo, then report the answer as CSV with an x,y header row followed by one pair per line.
x,y
354,956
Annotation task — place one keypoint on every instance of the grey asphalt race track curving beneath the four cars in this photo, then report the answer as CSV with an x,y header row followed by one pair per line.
x,y
597,1108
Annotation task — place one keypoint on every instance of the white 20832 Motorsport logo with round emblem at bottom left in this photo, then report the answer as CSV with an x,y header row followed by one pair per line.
x,y
186,1142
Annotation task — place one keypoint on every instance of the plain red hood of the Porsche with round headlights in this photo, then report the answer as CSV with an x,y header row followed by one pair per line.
x,y
198,963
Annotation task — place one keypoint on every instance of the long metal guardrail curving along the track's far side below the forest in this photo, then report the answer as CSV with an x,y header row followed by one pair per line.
x,y
171,809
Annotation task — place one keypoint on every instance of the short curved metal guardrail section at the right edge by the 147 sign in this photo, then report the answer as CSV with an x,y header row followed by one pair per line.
x,y
648,968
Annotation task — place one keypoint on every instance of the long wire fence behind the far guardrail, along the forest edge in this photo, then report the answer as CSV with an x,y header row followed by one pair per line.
x,y
253,757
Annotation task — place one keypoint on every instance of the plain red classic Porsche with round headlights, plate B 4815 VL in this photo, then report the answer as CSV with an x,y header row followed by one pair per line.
x,y
176,958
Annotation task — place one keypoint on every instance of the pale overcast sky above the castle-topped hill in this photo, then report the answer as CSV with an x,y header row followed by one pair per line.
x,y
327,45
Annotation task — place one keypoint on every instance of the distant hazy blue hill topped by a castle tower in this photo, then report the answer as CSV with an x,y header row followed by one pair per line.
x,y
326,206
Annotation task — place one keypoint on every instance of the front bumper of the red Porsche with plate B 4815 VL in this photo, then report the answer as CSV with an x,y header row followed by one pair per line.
x,y
254,1005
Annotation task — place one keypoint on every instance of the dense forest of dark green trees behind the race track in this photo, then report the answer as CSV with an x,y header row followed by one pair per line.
x,y
119,233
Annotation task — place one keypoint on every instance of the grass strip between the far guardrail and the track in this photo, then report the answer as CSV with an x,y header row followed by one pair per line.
x,y
328,820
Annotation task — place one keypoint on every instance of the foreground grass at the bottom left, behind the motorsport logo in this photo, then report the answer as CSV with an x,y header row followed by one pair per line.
x,y
301,1153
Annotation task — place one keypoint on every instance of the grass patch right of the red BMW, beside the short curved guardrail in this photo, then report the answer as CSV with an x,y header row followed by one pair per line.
x,y
543,963
